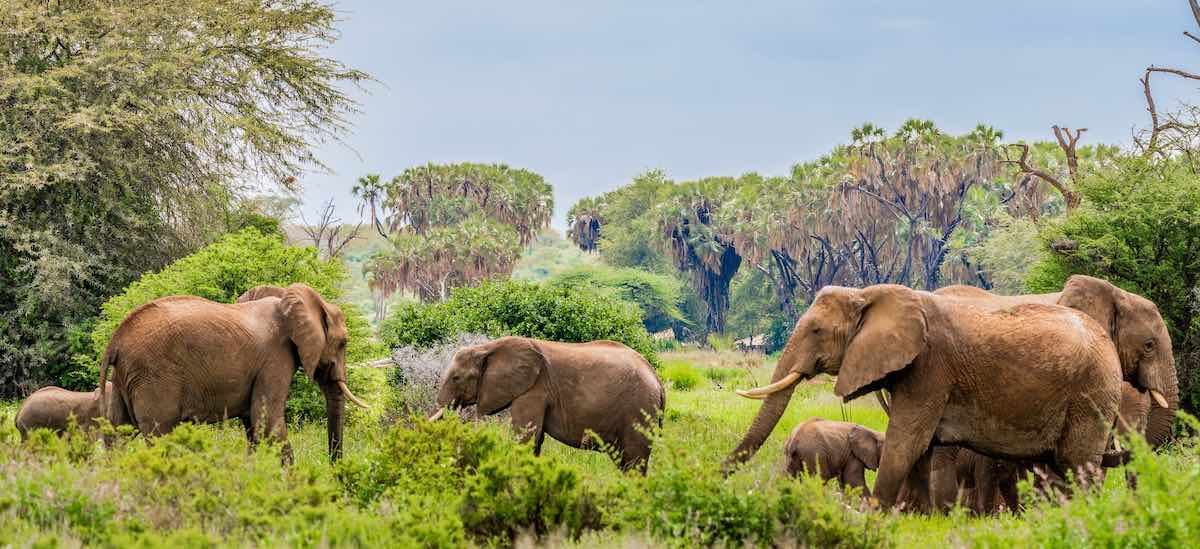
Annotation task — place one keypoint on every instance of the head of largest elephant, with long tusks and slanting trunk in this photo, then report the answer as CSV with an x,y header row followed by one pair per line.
x,y
860,336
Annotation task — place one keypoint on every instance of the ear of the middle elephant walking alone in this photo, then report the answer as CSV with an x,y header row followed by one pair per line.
x,y
512,365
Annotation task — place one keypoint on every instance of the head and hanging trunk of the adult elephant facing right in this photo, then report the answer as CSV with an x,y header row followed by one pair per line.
x,y
317,330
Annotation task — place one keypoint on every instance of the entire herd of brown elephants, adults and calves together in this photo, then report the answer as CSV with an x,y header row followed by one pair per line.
x,y
980,389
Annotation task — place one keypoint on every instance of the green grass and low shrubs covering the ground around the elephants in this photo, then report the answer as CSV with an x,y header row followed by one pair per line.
x,y
413,484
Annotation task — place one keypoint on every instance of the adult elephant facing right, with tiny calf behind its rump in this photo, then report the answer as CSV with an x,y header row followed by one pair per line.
x,y
188,359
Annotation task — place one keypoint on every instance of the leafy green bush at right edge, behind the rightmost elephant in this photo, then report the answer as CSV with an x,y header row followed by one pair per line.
x,y
1138,228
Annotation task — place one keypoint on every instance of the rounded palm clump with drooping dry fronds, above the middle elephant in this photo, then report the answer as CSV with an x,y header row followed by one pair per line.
x,y
458,225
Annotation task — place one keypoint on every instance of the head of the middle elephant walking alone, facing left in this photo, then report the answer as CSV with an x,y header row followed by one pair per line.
x,y
490,376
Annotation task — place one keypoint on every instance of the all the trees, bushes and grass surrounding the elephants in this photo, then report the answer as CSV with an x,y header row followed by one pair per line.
x,y
153,149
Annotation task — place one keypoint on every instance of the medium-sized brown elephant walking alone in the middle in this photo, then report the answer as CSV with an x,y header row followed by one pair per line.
x,y
575,393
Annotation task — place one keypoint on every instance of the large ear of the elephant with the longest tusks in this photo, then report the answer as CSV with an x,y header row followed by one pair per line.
x,y
890,336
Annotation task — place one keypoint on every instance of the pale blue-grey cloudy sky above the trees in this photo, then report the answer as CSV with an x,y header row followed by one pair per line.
x,y
590,96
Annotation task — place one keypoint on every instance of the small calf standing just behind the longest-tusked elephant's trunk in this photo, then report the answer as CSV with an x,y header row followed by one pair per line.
x,y
833,450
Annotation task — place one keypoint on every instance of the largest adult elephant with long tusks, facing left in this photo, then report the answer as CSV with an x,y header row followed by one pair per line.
x,y
955,373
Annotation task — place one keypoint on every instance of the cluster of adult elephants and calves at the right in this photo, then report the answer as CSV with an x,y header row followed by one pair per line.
x,y
982,388
